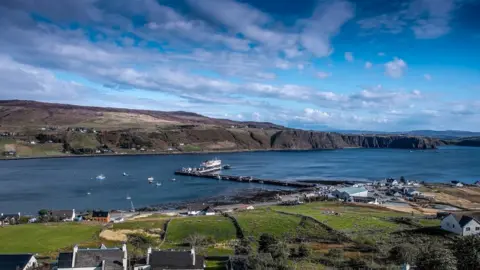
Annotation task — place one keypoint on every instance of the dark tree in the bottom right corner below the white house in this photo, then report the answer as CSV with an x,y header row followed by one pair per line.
x,y
467,252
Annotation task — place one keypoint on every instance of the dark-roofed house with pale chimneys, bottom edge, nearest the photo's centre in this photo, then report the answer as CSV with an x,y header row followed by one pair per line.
x,y
172,259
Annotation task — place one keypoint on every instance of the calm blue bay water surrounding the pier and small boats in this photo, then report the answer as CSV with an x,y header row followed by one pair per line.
x,y
63,183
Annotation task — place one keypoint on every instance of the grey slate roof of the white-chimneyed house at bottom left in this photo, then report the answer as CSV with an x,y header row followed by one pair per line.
x,y
113,258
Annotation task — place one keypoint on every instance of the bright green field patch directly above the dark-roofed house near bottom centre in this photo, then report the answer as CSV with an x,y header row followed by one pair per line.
x,y
217,227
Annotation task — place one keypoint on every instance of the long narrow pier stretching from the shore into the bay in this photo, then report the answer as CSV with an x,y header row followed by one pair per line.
x,y
245,179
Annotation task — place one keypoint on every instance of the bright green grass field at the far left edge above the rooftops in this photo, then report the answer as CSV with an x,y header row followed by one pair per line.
x,y
46,239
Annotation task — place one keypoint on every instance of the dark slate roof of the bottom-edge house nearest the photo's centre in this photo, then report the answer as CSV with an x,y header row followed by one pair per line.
x,y
163,259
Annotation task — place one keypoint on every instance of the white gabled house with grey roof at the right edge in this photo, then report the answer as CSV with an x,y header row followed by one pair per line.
x,y
467,223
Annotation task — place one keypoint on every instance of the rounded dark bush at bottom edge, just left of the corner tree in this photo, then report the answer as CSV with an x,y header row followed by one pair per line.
x,y
435,257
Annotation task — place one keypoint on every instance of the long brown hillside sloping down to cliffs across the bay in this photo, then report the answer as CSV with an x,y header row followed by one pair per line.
x,y
67,129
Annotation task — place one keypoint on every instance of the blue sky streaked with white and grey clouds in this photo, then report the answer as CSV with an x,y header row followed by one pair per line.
x,y
313,64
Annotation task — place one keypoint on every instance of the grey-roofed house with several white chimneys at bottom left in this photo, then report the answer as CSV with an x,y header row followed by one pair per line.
x,y
94,258
